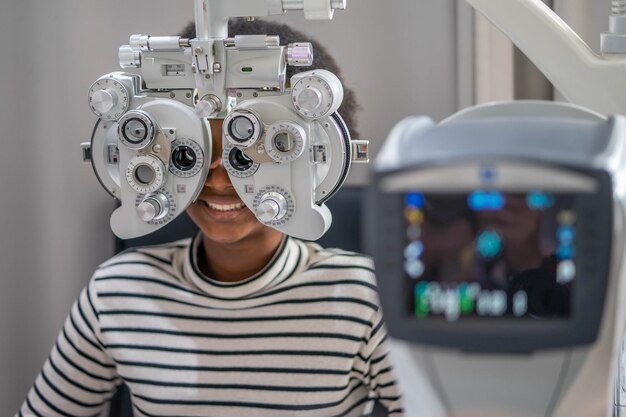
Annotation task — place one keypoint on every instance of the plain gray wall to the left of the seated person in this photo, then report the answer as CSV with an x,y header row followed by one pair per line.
x,y
54,216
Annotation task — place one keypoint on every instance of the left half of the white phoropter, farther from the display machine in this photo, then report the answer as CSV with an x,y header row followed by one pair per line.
x,y
148,151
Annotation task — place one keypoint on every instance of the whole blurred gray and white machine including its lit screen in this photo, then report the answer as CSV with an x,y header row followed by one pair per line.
x,y
521,280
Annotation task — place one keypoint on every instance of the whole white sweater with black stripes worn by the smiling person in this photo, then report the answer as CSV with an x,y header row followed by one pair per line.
x,y
303,337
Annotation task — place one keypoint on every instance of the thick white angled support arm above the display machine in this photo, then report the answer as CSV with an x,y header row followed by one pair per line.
x,y
584,78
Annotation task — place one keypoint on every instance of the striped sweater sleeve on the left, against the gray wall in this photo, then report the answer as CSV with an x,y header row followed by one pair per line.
x,y
79,377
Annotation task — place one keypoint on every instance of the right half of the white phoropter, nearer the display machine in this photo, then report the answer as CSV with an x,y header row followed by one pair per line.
x,y
277,153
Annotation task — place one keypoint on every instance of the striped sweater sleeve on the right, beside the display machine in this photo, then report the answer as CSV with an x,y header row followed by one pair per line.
x,y
381,374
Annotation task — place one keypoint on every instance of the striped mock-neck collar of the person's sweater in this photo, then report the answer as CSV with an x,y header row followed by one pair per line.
x,y
285,262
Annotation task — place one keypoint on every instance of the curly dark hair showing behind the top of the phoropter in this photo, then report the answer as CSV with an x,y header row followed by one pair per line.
x,y
322,58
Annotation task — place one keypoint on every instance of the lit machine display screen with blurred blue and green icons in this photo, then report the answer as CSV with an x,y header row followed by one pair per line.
x,y
487,254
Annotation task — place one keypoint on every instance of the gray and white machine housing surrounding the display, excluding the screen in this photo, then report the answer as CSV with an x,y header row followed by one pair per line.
x,y
507,366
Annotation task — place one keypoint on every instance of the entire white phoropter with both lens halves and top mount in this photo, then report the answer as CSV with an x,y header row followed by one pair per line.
x,y
151,148
